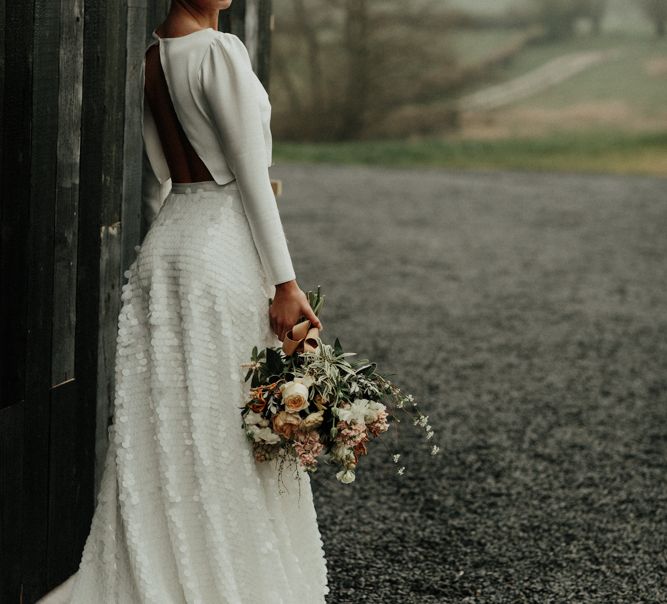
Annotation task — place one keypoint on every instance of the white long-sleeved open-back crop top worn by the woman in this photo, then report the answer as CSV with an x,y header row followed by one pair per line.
x,y
225,113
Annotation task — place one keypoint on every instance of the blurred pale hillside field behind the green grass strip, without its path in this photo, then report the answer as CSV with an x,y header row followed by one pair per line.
x,y
625,93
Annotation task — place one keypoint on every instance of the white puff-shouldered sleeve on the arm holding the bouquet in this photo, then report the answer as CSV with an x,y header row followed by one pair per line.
x,y
231,94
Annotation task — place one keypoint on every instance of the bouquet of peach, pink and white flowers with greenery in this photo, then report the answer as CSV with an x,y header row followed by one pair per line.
x,y
310,402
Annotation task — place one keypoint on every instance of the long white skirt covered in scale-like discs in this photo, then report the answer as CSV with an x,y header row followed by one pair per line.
x,y
184,513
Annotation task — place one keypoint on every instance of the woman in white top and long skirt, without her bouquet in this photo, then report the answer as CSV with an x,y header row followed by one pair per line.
x,y
184,513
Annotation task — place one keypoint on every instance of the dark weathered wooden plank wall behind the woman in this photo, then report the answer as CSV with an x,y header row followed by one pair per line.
x,y
70,188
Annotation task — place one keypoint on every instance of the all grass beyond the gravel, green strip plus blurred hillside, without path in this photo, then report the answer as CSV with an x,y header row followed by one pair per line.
x,y
609,118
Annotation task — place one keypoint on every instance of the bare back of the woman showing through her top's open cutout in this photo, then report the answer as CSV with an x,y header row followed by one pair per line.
x,y
184,163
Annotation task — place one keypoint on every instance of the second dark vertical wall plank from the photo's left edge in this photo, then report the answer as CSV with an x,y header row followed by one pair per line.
x,y
43,151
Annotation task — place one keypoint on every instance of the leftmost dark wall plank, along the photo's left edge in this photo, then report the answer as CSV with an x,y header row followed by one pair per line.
x,y
16,104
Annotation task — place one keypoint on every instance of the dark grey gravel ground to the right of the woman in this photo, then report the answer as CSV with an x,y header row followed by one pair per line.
x,y
527,314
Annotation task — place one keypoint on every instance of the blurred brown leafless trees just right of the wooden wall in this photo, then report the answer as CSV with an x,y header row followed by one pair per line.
x,y
343,70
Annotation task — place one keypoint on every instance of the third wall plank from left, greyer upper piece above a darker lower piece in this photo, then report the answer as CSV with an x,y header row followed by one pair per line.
x,y
63,543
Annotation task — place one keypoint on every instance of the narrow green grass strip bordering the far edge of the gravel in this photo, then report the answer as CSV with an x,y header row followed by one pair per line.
x,y
589,152
